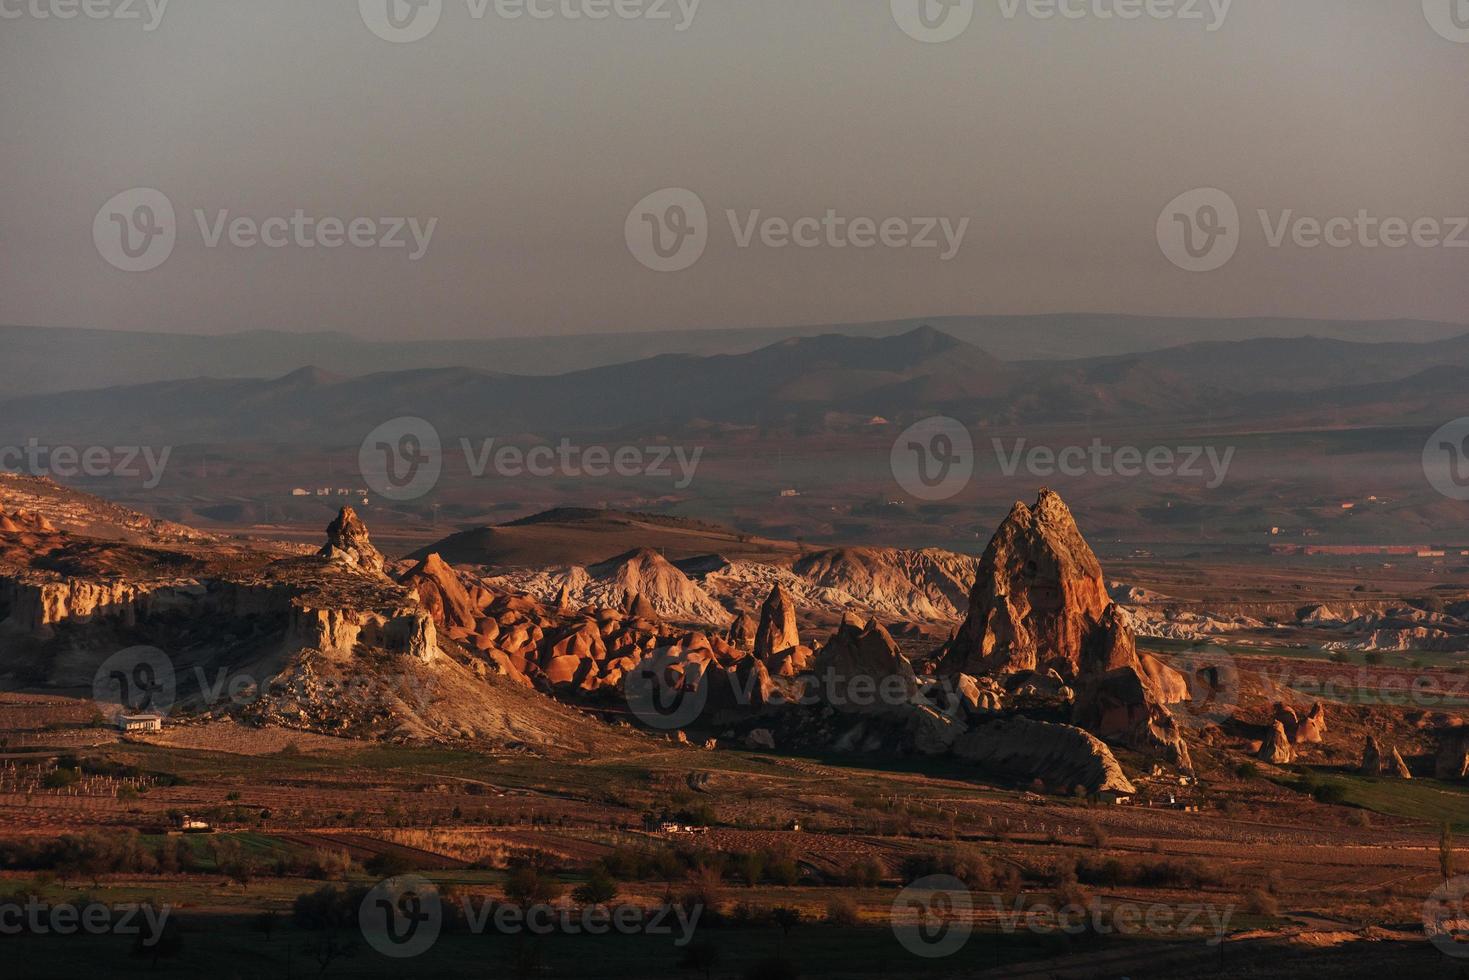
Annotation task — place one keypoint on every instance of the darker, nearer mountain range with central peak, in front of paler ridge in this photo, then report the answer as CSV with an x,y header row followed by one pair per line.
x,y
807,384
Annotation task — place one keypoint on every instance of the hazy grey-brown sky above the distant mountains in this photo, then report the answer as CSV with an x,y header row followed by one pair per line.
x,y
531,142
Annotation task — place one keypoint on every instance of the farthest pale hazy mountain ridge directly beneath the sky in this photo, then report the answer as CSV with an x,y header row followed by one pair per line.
x,y
45,361
